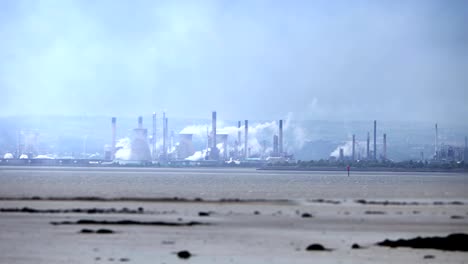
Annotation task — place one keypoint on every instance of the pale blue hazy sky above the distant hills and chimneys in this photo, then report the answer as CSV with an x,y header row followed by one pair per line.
x,y
336,60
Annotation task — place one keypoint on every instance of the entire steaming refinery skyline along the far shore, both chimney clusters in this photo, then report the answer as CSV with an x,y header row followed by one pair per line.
x,y
218,144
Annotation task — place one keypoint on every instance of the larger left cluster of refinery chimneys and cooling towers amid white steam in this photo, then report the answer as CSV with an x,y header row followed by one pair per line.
x,y
225,146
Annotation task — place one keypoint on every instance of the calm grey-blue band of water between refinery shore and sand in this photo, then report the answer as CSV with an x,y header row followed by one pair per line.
x,y
227,183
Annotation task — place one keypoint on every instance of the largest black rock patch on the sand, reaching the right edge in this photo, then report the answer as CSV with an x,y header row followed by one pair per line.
x,y
452,242
